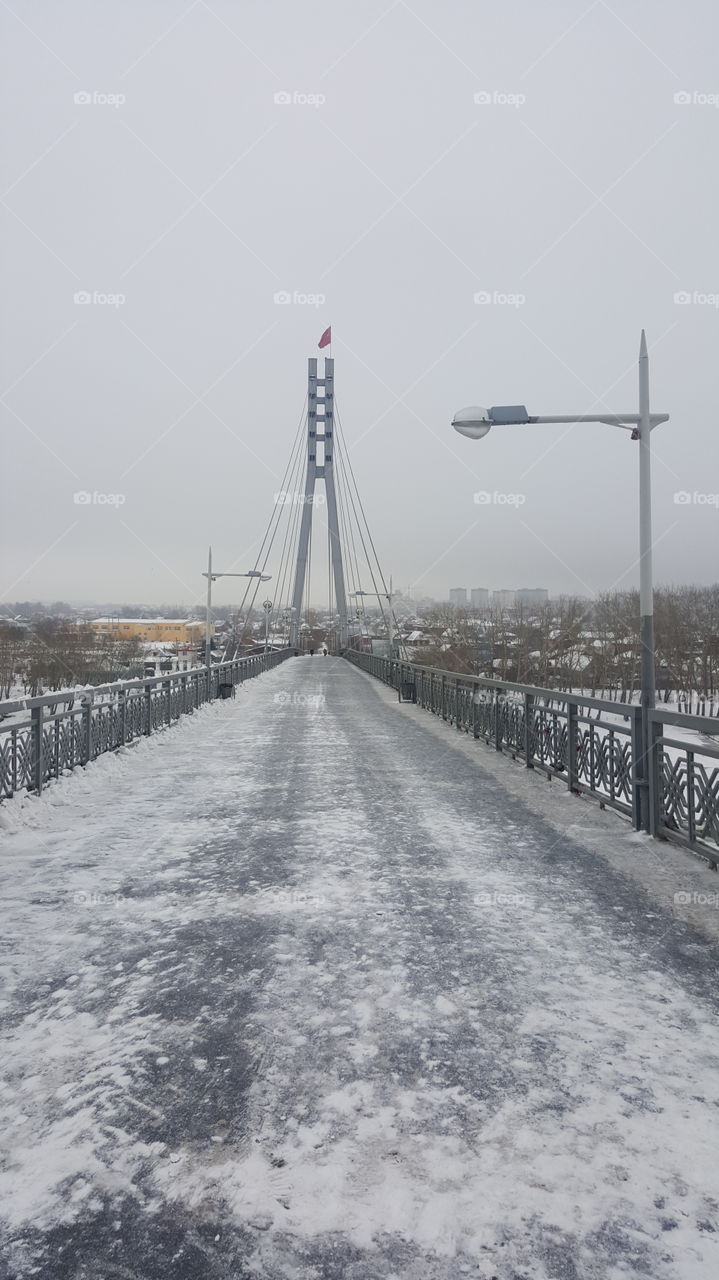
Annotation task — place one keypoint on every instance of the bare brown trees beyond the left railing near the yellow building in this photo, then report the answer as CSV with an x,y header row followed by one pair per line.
x,y
57,653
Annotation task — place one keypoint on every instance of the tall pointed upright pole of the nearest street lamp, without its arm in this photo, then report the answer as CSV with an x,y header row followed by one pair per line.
x,y
647,587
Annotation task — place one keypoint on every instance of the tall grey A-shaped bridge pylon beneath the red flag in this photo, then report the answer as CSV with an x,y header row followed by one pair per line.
x,y
320,432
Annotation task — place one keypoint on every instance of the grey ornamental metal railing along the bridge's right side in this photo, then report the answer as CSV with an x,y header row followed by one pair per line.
x,y
594,746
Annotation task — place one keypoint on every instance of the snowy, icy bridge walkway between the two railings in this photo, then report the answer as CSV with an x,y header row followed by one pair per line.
x,y
310,986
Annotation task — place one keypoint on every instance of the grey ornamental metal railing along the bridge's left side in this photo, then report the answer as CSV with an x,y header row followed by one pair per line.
x,y
72,728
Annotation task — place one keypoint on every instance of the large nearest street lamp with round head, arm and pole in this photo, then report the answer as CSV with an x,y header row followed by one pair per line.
x,y
475,423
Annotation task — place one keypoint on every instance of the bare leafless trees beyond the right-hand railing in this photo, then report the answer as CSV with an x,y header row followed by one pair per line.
x,y
593,647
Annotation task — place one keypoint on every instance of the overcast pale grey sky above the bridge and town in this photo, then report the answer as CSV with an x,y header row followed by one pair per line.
x,y
581,189
